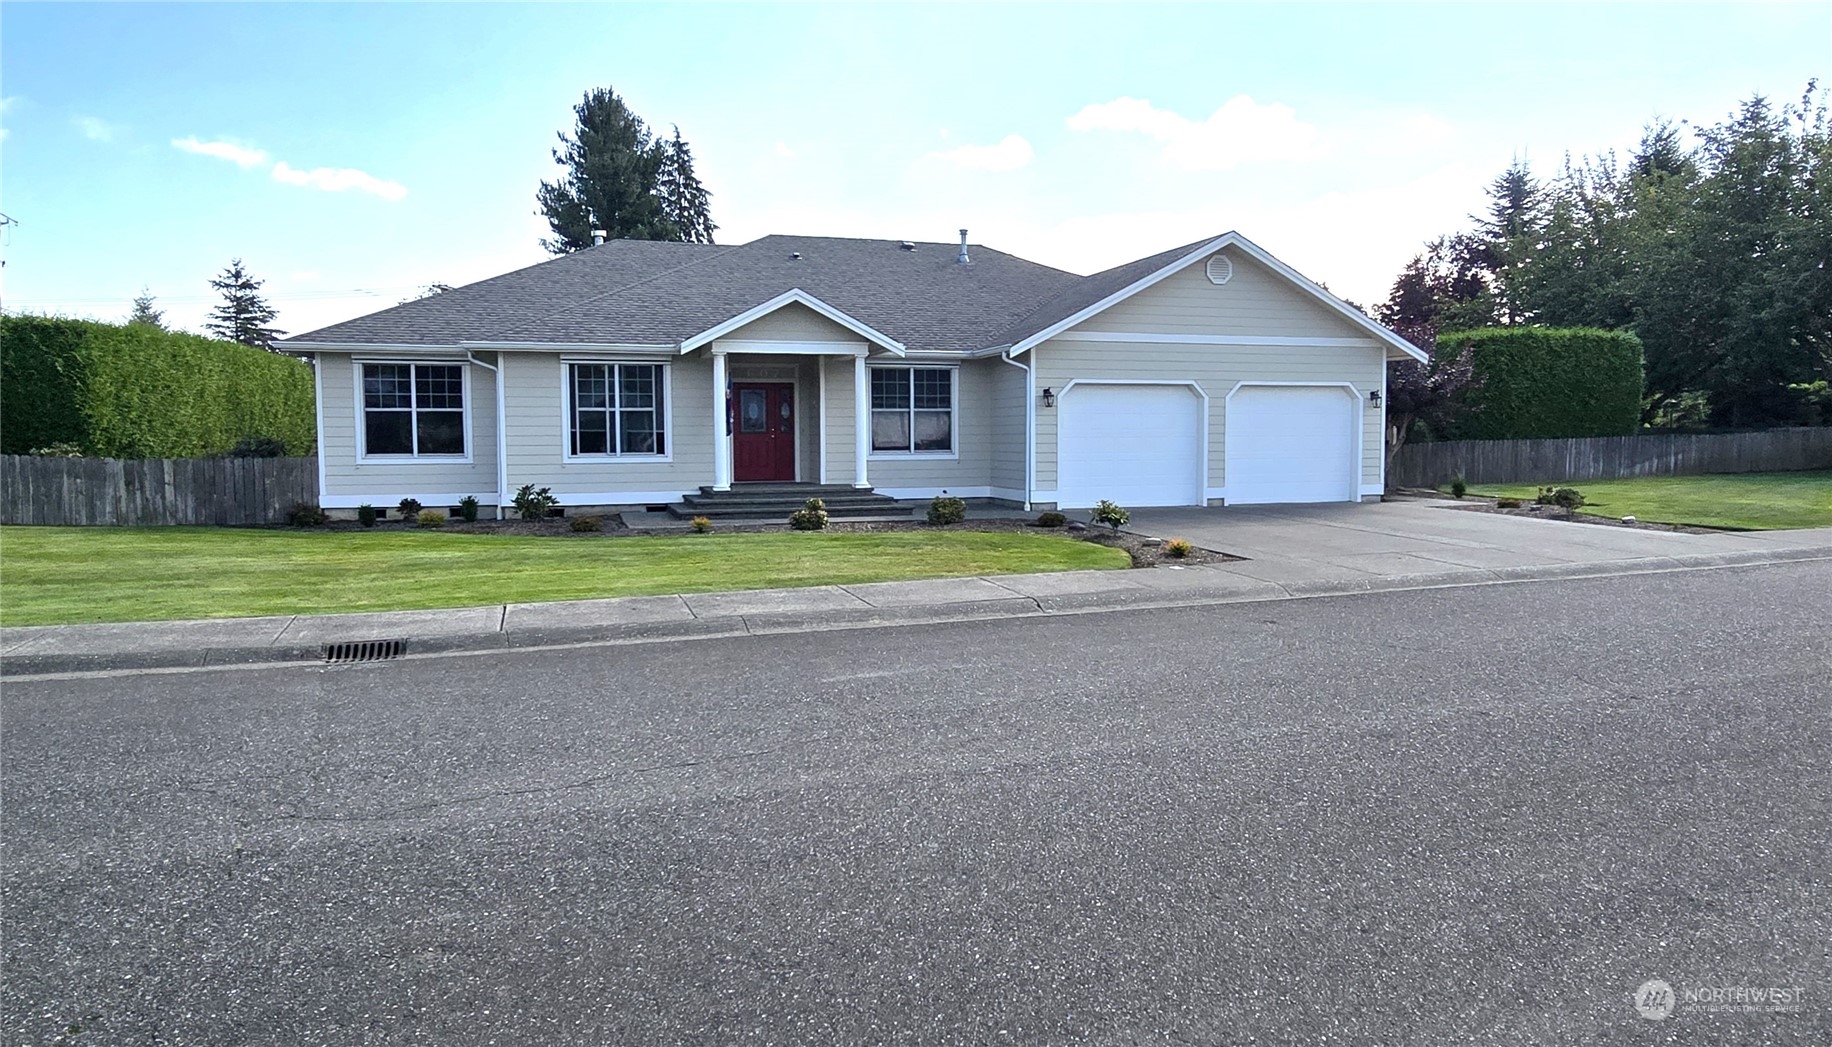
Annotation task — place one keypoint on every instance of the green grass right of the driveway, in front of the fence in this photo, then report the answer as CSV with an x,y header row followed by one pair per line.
x,y
1730,501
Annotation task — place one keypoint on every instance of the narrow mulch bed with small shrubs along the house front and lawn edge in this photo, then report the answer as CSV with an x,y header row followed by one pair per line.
x,y
613,526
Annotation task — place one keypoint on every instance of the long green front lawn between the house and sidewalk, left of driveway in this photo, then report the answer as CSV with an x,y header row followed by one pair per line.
x,y
54,576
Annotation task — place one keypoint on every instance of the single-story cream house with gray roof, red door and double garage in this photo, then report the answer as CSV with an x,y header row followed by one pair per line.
x,y
642,372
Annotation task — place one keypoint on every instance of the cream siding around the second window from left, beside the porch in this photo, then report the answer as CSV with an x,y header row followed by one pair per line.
x,y
538,431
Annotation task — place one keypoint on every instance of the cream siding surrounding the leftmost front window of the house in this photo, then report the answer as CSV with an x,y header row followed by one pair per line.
x,y
384,484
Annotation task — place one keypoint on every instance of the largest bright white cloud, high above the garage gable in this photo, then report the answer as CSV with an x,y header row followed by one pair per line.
x,y
1239,133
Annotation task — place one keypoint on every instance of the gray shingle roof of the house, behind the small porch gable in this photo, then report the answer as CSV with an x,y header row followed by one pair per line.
x,y
640,292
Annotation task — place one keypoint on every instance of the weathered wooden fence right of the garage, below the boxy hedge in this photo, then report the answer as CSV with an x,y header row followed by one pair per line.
x,y
1609,457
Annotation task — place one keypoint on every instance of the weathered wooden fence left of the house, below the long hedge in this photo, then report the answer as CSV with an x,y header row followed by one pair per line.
x,y
107,491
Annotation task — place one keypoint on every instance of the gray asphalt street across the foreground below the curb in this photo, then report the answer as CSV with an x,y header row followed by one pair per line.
x,y
1478,815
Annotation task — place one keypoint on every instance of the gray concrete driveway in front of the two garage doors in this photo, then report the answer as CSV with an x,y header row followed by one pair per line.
x,y
1428,537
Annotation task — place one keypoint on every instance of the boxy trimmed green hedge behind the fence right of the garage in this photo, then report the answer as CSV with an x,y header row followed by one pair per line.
x,y
1538,383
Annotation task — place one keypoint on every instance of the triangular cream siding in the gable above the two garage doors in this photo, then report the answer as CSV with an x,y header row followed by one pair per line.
x,y
1254,301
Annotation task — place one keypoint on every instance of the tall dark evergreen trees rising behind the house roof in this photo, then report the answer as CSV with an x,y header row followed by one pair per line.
x,y
615,182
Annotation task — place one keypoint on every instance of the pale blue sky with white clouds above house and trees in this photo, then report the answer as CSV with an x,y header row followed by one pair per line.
x,y
356,153
